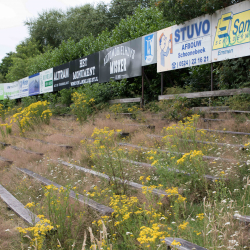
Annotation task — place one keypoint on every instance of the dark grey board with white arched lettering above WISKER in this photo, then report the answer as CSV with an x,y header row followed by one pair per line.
x,y
121,61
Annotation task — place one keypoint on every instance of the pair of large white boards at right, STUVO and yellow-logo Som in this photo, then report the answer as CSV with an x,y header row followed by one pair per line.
x,y
221,36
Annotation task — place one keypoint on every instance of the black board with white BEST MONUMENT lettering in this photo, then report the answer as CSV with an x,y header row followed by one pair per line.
x,y
84,70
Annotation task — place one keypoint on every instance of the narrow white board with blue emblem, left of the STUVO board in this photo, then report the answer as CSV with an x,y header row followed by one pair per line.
x,y
149,49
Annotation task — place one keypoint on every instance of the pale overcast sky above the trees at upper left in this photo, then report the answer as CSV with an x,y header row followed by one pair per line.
x,y
13,13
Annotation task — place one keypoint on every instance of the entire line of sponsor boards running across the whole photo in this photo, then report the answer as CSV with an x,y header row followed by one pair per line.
x,y
210,38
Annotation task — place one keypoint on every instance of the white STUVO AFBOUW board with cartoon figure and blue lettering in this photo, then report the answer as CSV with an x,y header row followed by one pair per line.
x,y
185,45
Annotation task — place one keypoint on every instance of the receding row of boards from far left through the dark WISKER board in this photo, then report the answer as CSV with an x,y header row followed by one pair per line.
x,y
119,62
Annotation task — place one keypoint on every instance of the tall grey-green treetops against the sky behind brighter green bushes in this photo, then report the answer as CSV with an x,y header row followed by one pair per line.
x,y
52,27
